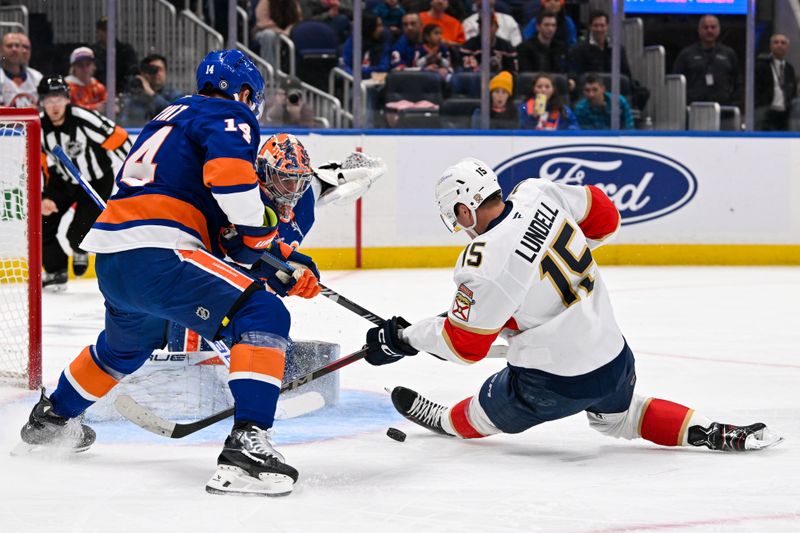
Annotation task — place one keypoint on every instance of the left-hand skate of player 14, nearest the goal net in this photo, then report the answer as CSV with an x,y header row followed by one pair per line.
x,y
45,429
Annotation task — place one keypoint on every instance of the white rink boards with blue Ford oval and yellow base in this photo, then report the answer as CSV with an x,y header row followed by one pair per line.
x,y
683,199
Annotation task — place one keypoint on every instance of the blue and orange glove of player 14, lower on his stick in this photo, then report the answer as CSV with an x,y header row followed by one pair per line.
x,y
303,282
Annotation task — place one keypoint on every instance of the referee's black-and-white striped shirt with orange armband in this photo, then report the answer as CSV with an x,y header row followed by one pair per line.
x,y
88,138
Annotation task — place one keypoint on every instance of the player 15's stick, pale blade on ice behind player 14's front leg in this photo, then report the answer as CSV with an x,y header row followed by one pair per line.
x,y
146,419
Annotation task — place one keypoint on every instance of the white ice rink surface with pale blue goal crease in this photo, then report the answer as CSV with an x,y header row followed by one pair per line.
x,y
722,340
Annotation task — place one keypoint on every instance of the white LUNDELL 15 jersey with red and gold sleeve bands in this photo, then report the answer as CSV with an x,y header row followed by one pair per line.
x,y
532,277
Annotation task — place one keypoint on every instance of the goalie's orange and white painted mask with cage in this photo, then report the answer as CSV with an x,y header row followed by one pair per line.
x,y
284,172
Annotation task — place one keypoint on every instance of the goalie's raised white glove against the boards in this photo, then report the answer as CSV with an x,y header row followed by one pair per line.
x,y
342,182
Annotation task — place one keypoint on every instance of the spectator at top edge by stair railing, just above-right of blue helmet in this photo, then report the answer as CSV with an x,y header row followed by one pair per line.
x,y
273,19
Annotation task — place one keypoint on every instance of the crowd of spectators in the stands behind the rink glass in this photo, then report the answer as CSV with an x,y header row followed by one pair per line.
x,y
569,54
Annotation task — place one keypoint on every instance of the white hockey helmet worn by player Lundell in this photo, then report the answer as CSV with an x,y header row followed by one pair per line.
x,y
468,182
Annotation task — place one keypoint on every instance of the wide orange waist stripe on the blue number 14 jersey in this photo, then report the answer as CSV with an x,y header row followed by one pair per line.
x,y
156,207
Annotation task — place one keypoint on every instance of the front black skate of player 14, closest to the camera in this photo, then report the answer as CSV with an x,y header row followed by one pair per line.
x,y
250,466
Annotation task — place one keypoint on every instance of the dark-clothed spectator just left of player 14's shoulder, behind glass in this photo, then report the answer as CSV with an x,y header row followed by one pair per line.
x,y
147,93
